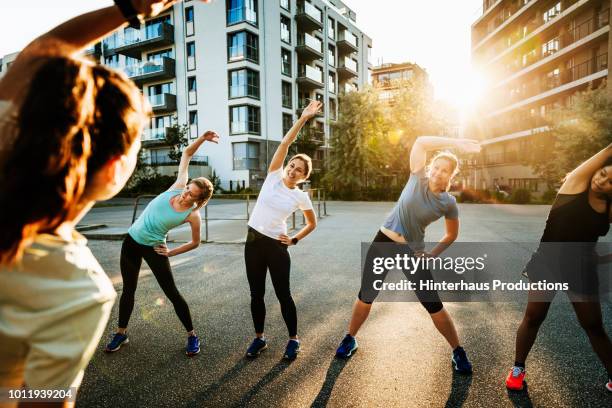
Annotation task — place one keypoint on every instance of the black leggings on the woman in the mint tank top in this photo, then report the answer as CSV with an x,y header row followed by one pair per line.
x,y
131,258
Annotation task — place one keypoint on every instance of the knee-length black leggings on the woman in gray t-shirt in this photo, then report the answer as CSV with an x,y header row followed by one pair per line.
x,y
429,299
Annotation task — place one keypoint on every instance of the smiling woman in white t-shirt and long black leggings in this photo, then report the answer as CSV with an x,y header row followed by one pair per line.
x,y
267,239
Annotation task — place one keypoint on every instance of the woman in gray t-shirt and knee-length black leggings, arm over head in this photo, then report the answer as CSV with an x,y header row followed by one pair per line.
x,y
424,200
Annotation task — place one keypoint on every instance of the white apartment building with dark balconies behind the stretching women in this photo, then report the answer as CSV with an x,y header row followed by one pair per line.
x,y
244,68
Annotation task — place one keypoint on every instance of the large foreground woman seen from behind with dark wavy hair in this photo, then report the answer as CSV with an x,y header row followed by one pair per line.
x,y
70,135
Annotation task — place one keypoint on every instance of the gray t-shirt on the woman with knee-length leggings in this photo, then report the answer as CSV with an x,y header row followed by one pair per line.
x,y
418,207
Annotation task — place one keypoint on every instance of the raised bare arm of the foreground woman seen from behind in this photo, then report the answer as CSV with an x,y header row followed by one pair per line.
x,y
69,38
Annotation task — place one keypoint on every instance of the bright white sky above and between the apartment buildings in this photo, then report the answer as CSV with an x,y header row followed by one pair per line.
x,y
434,34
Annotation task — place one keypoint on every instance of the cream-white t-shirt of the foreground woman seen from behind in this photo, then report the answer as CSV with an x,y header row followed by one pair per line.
x,y
54,306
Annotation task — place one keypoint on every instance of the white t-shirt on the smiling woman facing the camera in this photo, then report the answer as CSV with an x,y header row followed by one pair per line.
x,y
276,202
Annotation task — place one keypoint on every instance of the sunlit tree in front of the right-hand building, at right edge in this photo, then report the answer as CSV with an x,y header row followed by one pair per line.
x,y
576,132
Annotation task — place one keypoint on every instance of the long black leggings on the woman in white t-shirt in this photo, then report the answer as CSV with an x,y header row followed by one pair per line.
x,y
260,254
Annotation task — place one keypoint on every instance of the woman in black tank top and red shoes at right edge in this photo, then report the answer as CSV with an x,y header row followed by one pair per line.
x,y
579,215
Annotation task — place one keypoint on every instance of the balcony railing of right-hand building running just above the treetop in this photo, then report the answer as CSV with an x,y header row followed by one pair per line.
x,y
543,84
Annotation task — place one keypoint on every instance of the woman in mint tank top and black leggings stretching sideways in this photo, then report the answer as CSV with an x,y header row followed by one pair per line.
x,y
146,239
